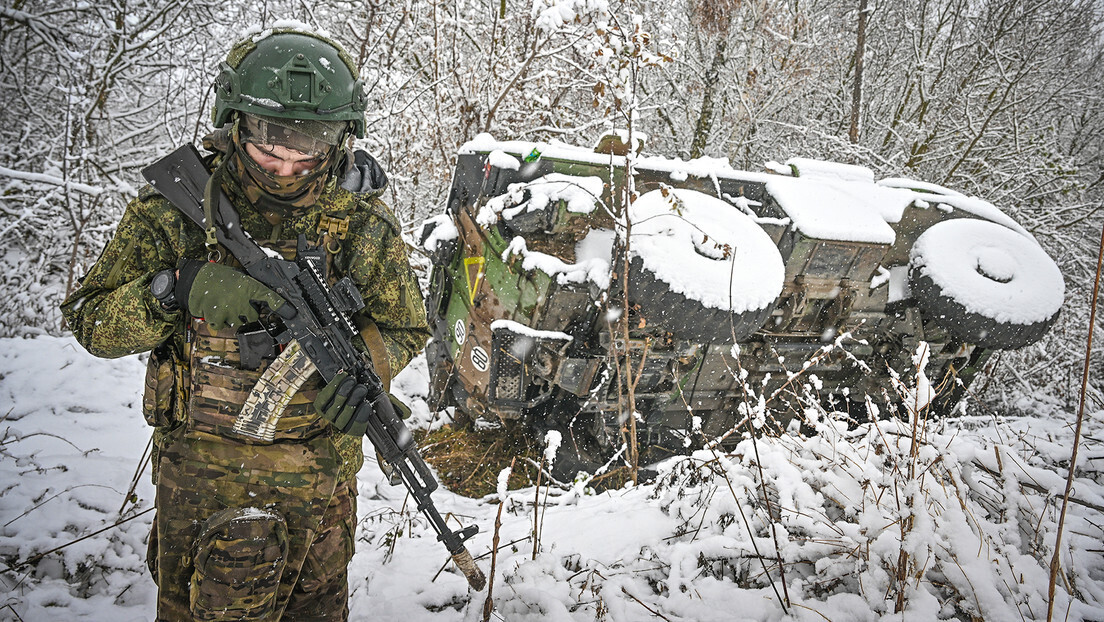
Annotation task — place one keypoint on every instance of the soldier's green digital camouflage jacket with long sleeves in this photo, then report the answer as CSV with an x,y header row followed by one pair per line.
x,y
114,314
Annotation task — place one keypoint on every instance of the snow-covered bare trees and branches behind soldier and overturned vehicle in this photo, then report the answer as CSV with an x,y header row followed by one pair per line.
x,y
1001,100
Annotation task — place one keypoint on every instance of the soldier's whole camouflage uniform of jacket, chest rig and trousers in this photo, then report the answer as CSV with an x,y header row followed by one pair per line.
x,y
196,386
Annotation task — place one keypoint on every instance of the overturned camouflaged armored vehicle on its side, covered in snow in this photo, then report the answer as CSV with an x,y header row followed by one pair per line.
x,y
741,289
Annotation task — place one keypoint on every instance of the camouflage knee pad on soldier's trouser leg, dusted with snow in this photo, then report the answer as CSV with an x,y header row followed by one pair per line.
x,y
240,557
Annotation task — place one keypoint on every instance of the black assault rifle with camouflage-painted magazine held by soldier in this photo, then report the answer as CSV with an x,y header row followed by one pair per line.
x,y
319,335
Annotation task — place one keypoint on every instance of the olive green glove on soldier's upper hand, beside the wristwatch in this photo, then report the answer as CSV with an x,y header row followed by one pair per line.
x,y
225,297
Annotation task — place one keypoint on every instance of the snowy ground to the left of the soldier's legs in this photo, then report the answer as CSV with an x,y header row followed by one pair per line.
x,y
73,435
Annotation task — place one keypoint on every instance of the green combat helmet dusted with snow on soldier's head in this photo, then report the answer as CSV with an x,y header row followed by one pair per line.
x,y
291,75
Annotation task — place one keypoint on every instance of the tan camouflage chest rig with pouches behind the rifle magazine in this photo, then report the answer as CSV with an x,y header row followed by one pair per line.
x,y
227,365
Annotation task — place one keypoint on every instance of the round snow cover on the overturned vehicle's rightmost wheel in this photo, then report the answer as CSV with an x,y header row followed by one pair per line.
x,y
991,270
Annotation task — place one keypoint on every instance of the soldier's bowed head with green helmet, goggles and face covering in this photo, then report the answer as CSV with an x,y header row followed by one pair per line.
x,y
289,88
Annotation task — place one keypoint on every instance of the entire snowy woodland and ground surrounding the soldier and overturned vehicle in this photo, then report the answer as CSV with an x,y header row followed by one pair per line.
x,y
1001,100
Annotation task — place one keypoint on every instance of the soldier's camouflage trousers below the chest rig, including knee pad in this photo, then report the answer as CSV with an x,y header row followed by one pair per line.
x,y
249,532
